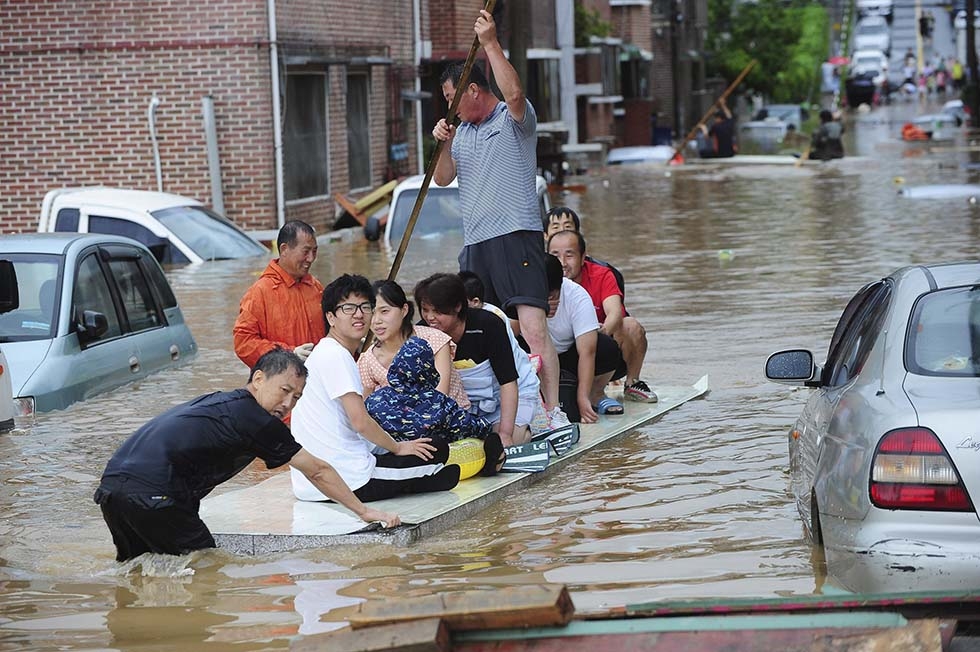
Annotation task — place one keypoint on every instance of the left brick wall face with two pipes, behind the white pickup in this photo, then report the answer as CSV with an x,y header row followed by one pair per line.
x,y
78,79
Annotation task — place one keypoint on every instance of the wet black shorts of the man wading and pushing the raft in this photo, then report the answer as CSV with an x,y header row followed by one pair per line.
x,y
141,524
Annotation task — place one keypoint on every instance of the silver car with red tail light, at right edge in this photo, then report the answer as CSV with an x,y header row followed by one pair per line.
x,y
885,457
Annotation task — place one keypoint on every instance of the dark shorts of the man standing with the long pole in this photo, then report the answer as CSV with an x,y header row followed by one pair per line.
x,y
512,268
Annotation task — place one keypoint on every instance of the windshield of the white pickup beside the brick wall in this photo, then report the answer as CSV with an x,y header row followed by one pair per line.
x,y
211,236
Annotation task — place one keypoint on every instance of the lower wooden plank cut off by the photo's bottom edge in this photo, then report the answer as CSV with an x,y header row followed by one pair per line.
x,y
427,635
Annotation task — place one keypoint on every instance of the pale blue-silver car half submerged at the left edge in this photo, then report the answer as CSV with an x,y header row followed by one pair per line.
x,y
85,314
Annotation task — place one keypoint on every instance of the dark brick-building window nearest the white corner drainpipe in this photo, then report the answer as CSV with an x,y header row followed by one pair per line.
x,y
305,155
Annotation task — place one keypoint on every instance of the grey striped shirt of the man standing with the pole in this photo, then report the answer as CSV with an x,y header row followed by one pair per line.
x,y
496,162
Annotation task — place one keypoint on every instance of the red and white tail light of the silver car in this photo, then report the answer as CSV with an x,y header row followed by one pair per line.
x,y
911,470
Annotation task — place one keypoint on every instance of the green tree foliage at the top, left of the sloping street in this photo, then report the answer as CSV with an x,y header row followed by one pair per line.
x,y
788,39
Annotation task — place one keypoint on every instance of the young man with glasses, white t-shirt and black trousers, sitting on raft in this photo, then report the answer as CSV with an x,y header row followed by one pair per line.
x,y
331,422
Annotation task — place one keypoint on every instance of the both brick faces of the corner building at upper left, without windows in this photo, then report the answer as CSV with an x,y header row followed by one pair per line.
x,y
78,79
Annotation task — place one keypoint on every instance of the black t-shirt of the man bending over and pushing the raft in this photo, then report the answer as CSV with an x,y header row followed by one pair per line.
x,y
190,449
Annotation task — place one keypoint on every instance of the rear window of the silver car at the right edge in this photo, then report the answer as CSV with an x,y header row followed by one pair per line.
x,y
945,334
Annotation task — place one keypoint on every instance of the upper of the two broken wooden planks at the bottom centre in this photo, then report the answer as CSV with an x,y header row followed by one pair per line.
x,y
541,605
